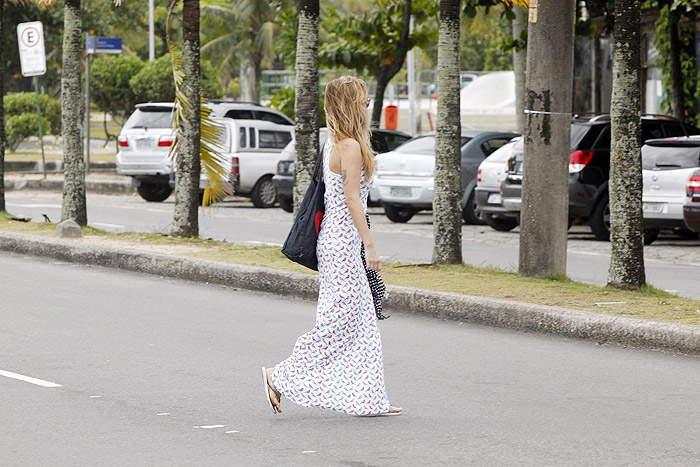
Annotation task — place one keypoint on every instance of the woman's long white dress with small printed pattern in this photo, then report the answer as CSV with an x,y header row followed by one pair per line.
x,y
338,364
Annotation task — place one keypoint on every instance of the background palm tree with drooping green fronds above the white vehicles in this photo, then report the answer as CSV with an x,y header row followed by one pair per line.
x,y
252,37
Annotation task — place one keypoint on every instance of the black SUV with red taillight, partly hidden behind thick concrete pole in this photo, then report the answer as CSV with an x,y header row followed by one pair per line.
x,y
589,168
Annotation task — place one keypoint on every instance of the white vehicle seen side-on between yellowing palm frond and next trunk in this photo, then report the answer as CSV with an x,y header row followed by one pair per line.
x,y
251,150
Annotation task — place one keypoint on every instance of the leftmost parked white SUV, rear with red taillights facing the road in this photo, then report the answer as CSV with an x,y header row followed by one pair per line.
x,y
145,141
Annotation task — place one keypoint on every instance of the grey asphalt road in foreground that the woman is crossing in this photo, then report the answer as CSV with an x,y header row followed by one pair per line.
x,y
160,372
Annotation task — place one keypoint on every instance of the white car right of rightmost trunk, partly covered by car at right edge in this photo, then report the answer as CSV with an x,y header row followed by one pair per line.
x,y
667,165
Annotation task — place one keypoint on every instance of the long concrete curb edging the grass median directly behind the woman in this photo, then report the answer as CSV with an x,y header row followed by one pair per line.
x,y
578,324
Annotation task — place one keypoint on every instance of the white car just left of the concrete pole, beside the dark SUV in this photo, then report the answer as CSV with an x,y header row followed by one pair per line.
x,y
489,178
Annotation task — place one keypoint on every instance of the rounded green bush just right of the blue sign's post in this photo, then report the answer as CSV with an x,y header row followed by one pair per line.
x,y
109,84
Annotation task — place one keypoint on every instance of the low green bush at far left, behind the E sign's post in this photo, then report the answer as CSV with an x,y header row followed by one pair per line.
x,y
21,121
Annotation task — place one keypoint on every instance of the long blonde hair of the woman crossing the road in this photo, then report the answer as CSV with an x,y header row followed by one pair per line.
x,y
345,104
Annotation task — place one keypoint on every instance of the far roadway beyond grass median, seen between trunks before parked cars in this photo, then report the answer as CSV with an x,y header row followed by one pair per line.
x,y
672,264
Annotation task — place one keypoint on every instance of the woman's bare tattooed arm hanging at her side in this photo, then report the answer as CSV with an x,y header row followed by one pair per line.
x,y
348,151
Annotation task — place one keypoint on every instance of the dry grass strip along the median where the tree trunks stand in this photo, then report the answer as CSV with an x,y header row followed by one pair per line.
x,y
647,303
